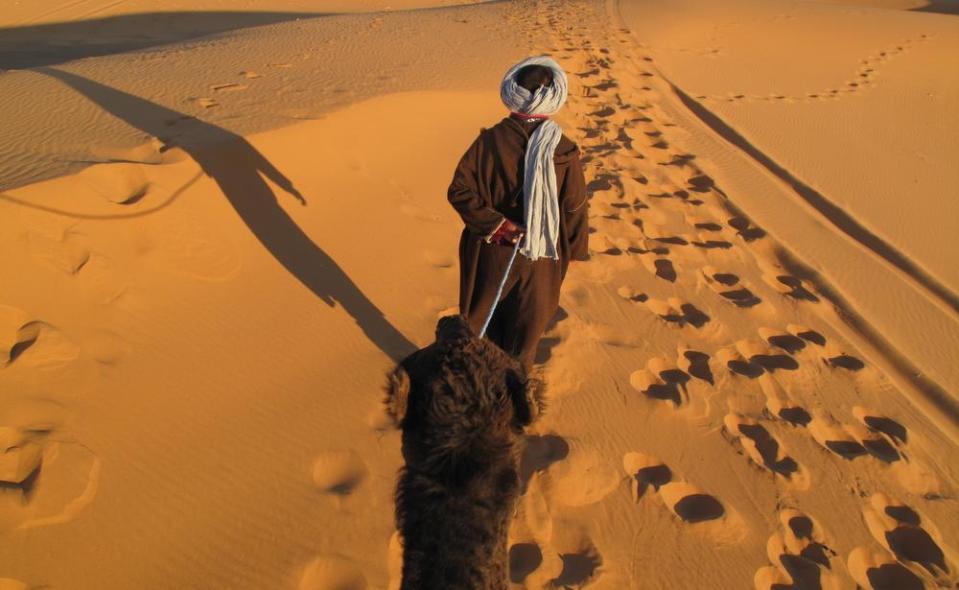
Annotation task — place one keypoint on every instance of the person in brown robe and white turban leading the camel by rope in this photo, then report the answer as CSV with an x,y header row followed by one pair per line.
x,y
520,181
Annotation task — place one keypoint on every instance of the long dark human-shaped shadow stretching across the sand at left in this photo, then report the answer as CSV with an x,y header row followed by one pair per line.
x,y
236,167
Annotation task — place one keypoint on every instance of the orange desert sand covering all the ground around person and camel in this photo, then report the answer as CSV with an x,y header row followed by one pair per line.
x,y
753,383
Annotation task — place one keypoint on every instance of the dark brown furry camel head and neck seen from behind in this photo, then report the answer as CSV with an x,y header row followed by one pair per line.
x,y
462,404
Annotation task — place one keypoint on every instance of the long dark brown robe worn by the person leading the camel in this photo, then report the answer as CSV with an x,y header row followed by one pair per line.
x,y
487,186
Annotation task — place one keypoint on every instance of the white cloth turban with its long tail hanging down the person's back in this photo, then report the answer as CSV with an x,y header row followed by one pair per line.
x,y
540,194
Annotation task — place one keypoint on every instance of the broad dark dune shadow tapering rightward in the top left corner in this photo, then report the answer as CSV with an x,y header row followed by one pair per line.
x,y
47,44
